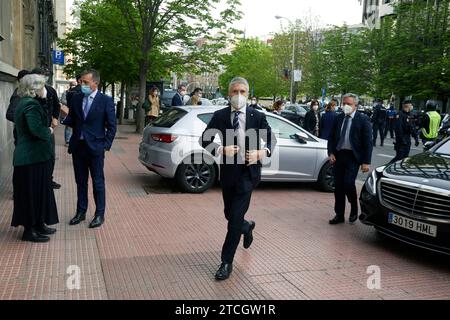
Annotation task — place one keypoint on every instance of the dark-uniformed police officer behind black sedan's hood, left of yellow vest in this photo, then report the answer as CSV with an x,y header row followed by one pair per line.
x,y
404,129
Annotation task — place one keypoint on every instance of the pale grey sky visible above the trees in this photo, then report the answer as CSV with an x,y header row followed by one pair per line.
x,y
259,15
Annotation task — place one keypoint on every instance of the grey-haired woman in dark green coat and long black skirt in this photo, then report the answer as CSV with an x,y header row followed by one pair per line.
x,y
34,199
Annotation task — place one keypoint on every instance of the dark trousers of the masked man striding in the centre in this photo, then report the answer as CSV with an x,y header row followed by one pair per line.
x,y
236,200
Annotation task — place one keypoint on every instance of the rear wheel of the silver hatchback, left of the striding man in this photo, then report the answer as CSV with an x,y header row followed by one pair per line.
x,y
196,176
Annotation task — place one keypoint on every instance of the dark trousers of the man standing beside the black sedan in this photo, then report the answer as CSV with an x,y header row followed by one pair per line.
x,y
345,173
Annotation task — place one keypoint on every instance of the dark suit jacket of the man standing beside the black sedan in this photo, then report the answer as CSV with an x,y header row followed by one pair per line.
x,y
360,137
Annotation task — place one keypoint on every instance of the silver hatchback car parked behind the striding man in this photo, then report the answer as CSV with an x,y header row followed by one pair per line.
x,y
172,140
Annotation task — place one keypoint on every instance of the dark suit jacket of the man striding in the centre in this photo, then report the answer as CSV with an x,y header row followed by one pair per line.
x,y
220,123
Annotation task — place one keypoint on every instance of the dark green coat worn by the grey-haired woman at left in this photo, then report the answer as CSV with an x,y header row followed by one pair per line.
x,y
33,134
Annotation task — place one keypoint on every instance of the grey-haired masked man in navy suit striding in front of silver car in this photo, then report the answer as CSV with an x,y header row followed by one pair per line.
x,y
240,128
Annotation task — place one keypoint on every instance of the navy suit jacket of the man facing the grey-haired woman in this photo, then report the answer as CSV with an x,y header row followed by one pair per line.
x,y
99,127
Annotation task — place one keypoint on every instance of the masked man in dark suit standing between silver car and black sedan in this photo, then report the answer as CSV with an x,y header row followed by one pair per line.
x,y
350,147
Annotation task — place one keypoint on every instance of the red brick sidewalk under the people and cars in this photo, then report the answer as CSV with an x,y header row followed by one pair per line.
x,y
161,244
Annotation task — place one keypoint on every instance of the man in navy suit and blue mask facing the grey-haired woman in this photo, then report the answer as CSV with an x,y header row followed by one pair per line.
x,y
93,120
